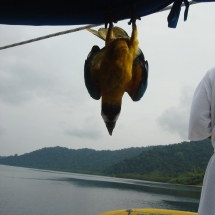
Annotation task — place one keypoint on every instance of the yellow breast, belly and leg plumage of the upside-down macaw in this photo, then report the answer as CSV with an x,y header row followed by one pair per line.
x,y
114,68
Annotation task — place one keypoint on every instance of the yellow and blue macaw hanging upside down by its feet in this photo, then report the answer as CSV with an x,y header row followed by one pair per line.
x,y
117,68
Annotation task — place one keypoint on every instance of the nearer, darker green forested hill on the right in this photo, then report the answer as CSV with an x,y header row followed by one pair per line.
x,y
165,163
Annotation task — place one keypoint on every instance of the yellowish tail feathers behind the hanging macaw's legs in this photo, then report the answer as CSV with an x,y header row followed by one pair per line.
x,y
102,32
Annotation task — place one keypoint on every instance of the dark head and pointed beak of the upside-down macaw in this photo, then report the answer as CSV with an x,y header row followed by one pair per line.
x,y
110,114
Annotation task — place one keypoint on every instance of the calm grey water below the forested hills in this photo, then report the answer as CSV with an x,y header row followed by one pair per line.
x,y
36,192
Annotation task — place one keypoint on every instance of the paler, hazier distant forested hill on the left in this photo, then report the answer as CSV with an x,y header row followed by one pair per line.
x,y
64,159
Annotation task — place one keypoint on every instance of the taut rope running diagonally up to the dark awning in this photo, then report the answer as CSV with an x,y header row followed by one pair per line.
x,y
70,31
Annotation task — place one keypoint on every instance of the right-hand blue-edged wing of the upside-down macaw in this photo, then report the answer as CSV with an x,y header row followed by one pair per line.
x,y
139,81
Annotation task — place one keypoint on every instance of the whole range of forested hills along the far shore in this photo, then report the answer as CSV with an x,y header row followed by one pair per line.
x,y
182,163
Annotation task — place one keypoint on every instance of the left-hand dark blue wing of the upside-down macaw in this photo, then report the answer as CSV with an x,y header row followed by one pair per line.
x,y
92,64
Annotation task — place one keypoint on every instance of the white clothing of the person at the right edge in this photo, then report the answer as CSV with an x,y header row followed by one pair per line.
x,y
201,126
